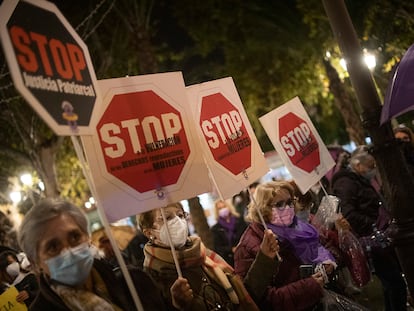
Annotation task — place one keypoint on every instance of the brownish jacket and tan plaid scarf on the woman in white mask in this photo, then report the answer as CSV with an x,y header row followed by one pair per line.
x,y
209,292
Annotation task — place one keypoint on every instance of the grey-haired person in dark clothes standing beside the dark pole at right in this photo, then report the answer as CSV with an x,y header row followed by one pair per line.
x,y
362,205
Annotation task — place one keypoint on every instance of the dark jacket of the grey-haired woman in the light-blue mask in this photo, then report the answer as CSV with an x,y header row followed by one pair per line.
x,y
151,298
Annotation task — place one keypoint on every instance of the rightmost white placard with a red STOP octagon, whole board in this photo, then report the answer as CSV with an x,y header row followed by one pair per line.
x,y
298,143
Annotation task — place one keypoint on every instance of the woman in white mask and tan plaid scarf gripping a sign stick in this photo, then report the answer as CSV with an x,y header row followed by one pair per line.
x,y
207,282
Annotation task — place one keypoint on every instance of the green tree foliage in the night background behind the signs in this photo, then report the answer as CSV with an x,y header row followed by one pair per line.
x,y
274,51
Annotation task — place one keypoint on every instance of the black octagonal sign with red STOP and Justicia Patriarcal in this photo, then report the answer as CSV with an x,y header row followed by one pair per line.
x,y
50,65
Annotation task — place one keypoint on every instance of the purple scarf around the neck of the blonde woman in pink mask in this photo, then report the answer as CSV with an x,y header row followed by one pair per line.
x,y
305,240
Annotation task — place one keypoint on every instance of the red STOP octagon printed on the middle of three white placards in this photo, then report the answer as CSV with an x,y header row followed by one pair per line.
x,y
225,133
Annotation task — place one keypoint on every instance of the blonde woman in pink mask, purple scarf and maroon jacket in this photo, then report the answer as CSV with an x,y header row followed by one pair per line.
x,y
299,245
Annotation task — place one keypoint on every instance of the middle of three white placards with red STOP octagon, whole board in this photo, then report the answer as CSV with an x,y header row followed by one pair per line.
x,y
230,147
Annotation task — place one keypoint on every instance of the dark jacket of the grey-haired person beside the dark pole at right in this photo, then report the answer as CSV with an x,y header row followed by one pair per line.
x,y
359,201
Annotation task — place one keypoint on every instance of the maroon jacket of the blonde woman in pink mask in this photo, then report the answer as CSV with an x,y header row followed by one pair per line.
x,y
284,290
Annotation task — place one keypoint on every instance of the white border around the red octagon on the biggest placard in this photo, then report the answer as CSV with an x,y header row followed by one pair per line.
x,y
194,175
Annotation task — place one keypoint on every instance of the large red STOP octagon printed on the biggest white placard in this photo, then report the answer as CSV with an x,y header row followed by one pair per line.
x,y
143,140
